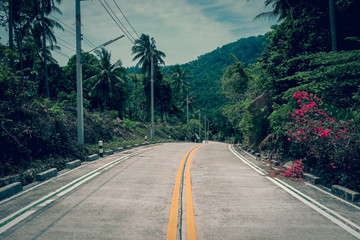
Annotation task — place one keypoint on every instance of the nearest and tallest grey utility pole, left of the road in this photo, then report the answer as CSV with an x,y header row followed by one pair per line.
x,y
79,93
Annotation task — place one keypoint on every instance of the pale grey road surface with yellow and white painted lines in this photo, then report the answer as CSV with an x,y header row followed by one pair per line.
x,y
132,196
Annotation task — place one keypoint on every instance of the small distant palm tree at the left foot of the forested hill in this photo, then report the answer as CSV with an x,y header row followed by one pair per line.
x,y
179,77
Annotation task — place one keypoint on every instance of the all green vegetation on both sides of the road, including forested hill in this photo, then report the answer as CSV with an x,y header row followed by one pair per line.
x,y
294,92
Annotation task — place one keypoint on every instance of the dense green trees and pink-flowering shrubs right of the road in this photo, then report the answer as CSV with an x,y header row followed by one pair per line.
x,y
301,99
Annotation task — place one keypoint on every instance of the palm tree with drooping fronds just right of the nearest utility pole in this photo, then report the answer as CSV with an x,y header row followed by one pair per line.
x,y
108,75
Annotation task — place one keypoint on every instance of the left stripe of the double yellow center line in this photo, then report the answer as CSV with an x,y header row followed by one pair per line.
x,y
174,210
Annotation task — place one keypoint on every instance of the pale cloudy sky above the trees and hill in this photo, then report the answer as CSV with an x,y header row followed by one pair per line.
x,y
182,29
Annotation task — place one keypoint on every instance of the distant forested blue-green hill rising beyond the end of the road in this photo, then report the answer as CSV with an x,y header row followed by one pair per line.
x,y
207,70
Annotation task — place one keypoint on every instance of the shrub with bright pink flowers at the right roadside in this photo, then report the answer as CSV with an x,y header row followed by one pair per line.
x,y
329,146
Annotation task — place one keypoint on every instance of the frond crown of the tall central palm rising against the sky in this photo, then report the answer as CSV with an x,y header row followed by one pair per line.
x,y
143,49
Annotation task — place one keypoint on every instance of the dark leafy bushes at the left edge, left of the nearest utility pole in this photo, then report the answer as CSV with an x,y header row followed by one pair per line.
x,y
35,133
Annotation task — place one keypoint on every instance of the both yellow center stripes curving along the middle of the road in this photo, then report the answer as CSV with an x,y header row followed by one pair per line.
x,y
174,211
